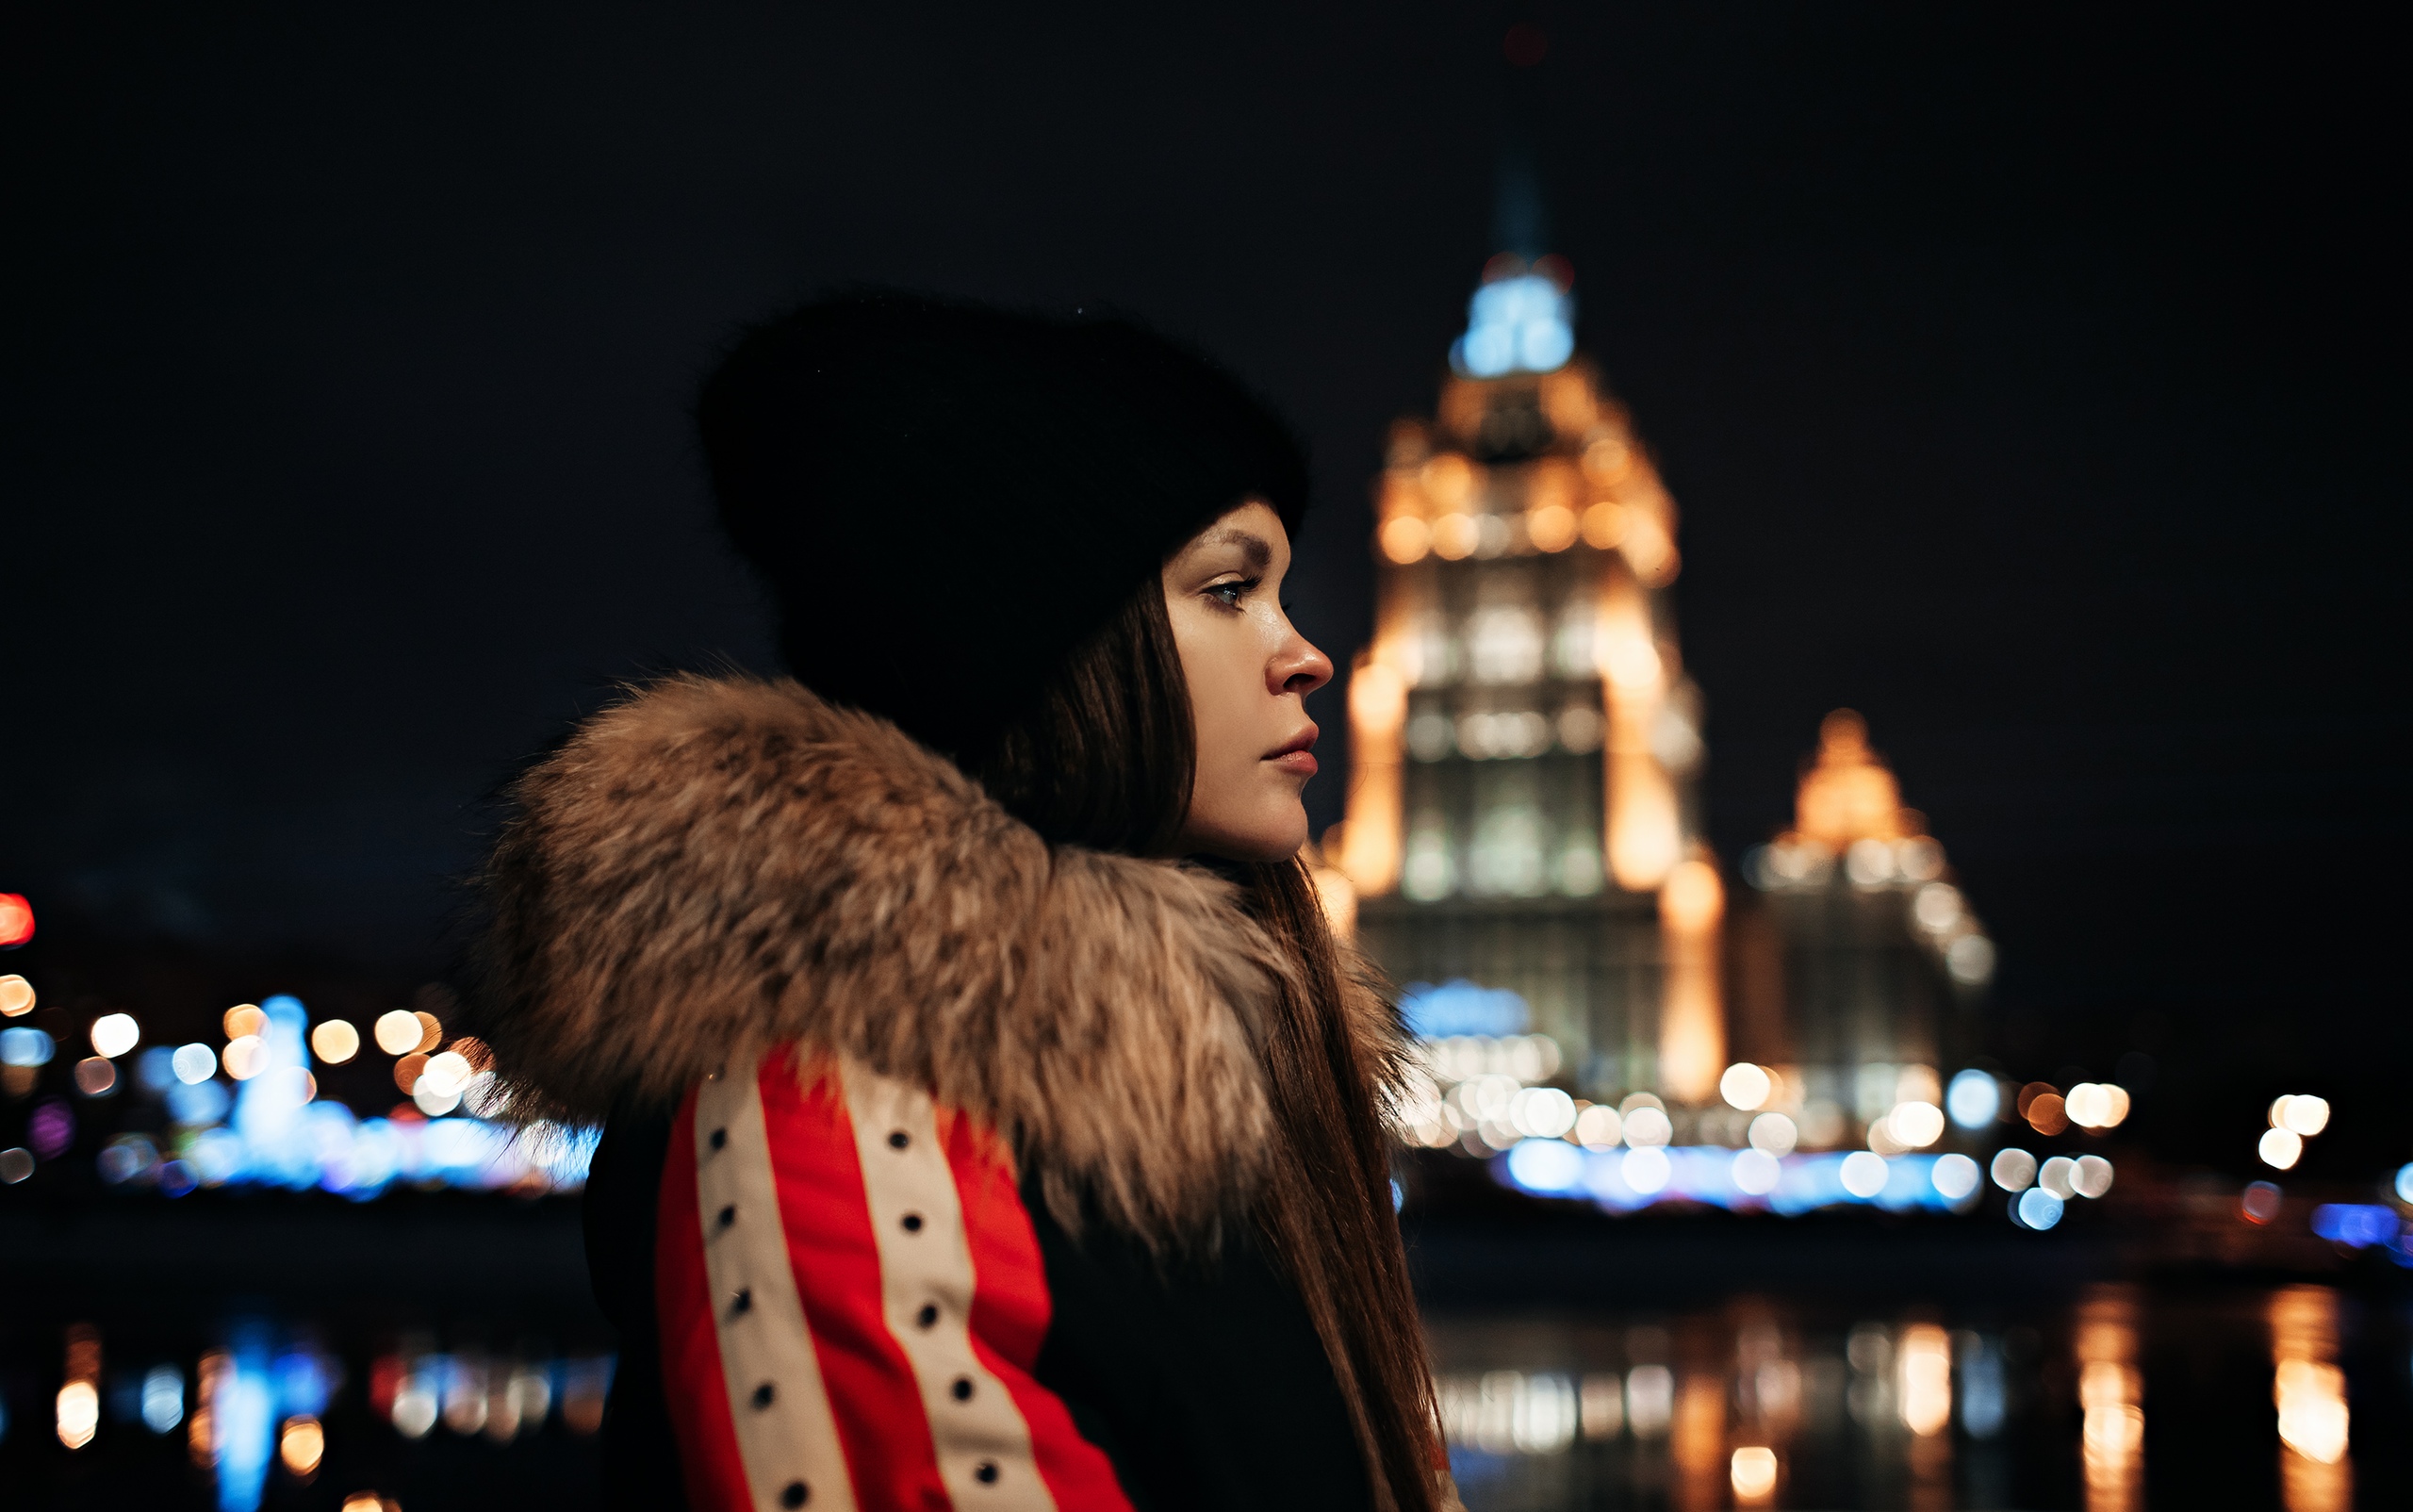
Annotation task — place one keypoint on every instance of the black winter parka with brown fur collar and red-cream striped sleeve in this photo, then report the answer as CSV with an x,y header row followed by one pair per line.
x,y
930,1147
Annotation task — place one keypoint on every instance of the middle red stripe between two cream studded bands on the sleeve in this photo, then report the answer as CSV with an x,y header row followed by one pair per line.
x,y
839,1274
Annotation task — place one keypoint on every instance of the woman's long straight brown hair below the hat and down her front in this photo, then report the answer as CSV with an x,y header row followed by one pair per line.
x,y
1106,758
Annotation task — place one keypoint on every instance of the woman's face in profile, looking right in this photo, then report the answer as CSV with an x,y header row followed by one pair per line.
x,y
1249,681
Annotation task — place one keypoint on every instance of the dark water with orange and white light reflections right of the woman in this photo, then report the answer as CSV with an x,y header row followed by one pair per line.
x,y
2105,1405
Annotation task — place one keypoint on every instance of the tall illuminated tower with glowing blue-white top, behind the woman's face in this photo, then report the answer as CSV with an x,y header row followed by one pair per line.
x,y
1524,737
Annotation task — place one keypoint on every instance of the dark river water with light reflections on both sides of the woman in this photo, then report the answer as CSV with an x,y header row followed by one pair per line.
x,y
2117,1400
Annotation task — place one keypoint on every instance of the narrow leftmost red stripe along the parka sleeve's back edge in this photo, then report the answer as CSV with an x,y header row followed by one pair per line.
x,y
691,1344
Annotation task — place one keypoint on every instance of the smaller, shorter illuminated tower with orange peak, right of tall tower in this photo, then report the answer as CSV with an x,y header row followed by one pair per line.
x,y
1862,985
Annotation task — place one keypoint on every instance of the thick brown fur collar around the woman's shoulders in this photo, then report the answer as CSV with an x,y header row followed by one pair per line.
x,y
718,867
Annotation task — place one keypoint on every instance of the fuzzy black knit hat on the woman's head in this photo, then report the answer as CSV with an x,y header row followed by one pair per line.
x,y
947,500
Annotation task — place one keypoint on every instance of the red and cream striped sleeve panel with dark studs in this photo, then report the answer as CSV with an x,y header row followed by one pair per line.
x,y
851,1303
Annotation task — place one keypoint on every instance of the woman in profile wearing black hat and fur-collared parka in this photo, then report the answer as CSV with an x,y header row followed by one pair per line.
x,y
993,1120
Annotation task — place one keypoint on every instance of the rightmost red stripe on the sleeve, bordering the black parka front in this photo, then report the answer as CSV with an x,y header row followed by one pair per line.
x,y
1010,1320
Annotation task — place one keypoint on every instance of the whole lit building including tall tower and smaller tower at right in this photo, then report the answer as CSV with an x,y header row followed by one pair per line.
x,y
1524,840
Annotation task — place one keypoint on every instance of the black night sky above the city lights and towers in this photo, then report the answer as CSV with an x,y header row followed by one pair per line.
x,y
2028,382
